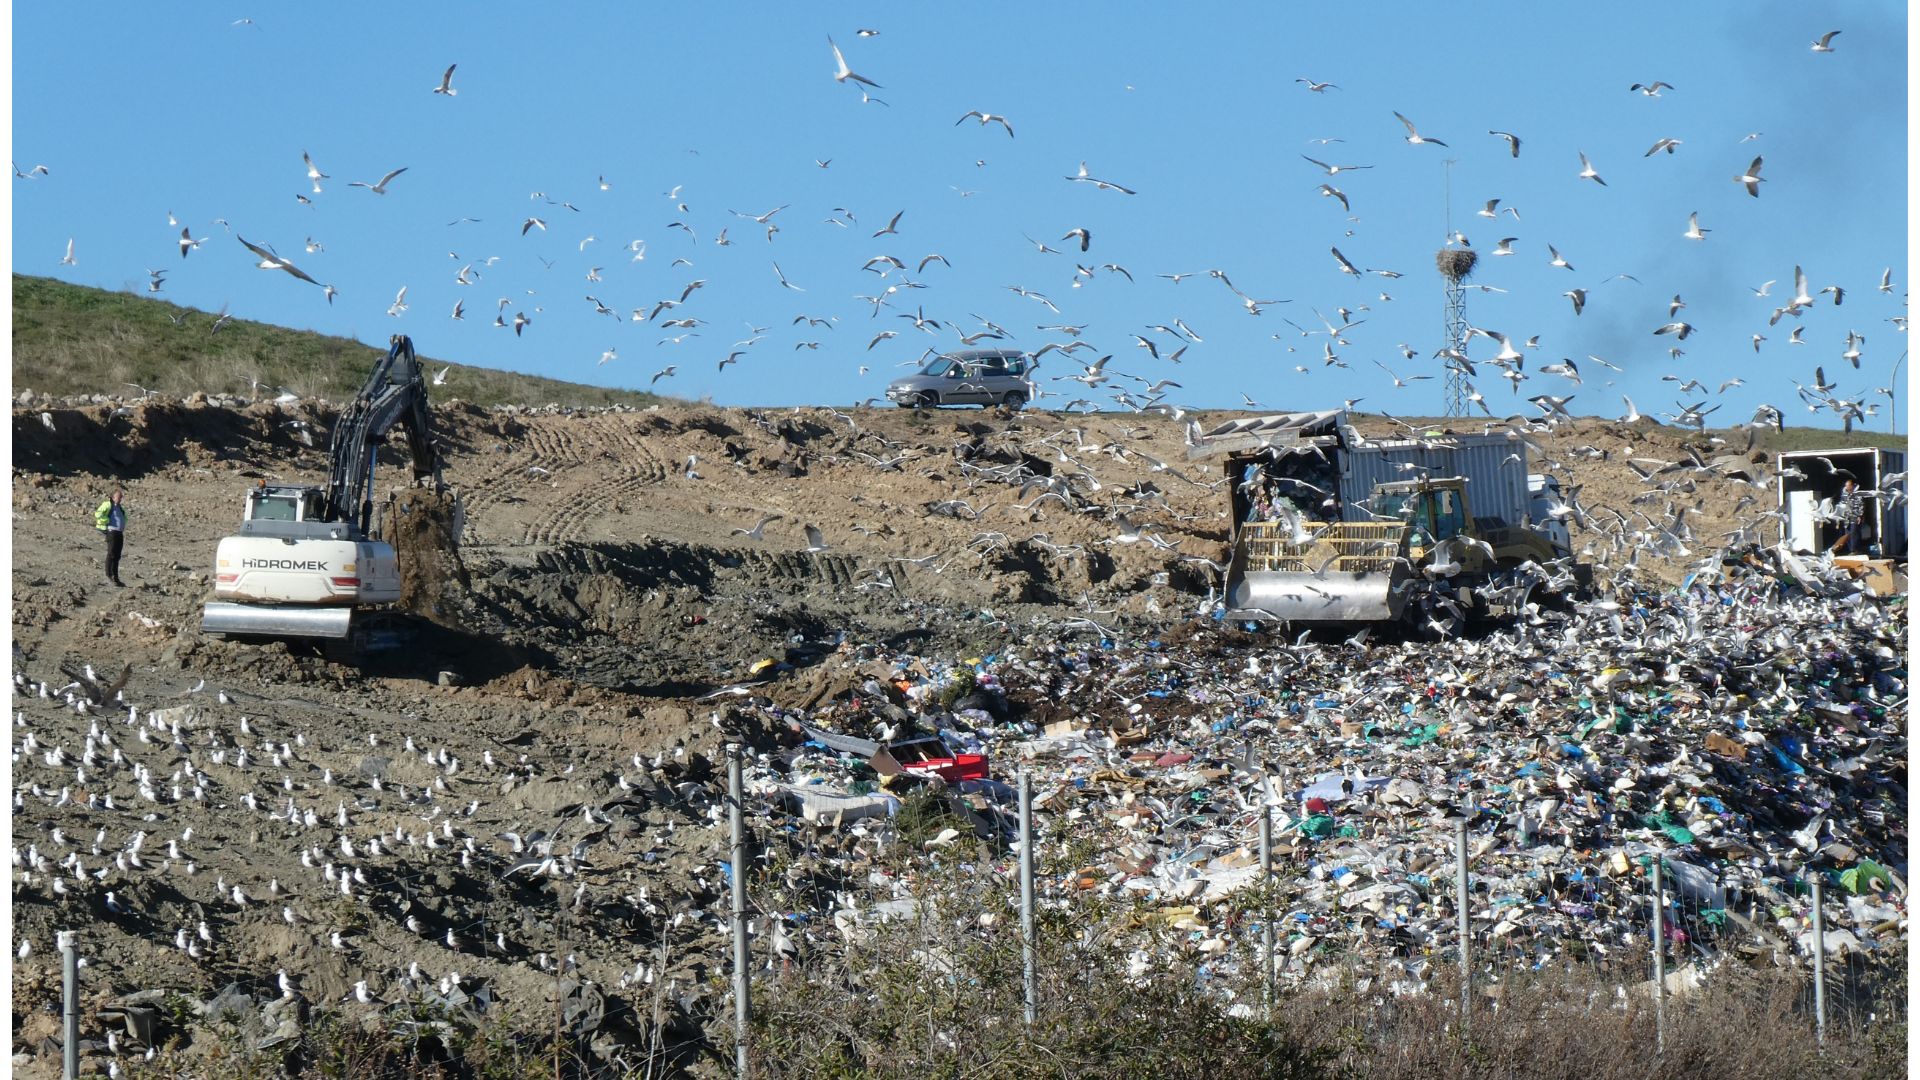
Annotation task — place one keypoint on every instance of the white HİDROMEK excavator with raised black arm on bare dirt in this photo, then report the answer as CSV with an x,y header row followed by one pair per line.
x,y
308,562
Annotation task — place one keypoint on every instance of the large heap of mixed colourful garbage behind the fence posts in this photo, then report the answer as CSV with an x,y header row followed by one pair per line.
x,y
1746,731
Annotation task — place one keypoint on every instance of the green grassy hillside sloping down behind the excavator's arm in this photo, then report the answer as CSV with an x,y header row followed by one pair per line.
x,y
70,339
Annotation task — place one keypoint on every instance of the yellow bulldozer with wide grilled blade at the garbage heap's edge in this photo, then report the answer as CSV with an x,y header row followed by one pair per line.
x,y
1420,560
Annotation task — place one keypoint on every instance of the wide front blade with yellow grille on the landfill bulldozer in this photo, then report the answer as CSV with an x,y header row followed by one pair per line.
x,y
1320,574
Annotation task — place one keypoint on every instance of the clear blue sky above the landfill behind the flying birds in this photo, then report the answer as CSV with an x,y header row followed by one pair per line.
x,y
151,110
